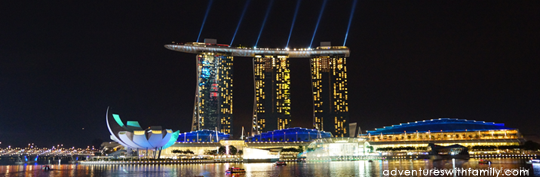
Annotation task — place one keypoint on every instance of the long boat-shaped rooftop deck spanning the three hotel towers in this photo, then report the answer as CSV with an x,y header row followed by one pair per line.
x,y
196,47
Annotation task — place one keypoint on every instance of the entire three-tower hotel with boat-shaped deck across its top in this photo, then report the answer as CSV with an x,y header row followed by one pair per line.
x,y
213,107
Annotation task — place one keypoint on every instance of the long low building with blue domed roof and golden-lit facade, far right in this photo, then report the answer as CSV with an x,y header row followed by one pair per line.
x,y
444,132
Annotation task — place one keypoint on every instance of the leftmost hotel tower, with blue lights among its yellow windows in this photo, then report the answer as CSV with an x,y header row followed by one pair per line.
x,y
214,94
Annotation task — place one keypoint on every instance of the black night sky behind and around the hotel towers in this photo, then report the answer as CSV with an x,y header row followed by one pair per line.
x,y
63,63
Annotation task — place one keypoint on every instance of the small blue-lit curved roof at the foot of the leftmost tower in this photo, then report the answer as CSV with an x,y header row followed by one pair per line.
x,y
203,136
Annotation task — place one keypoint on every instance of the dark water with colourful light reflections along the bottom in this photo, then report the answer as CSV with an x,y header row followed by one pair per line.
x,y
354,168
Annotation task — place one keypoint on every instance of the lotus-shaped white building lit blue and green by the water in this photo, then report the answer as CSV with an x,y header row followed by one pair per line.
x,y
131,135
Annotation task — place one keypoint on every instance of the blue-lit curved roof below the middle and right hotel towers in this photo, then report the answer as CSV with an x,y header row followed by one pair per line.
x,y
290,135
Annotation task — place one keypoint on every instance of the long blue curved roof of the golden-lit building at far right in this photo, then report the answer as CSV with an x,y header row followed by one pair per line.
x,y
440,125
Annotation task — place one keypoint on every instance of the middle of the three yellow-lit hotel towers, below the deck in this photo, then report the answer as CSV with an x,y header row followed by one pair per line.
x,y
272,102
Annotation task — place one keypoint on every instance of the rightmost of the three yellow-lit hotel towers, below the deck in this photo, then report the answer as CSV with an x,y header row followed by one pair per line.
x,y
329,86
